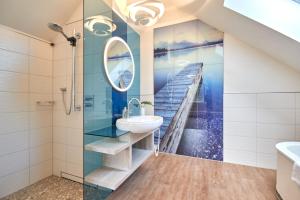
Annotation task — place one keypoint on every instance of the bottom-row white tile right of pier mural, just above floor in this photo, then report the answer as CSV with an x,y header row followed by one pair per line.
x,y
240,157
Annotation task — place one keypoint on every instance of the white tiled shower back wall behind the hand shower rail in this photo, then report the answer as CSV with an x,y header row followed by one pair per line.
x,y
68,130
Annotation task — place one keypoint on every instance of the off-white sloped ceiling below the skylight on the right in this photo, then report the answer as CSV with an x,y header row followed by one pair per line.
x,y
212,12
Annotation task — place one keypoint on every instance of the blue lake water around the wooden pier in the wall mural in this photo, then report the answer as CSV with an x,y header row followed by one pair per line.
x,y
204,130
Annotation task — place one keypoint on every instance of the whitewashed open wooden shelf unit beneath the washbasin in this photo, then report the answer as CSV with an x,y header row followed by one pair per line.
x,y
121,157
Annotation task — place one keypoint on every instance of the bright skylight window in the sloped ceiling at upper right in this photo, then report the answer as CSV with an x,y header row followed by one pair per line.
x,y
283,16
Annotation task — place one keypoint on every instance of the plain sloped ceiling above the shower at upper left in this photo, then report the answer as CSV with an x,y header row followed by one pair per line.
x,y
32,16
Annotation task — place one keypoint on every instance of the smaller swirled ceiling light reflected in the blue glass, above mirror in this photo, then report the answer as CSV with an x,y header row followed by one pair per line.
x,y
100,25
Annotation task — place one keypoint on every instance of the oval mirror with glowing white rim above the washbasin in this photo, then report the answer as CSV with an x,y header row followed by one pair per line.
x,y
119,64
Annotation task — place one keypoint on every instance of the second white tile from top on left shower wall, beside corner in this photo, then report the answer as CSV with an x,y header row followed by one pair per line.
x,y
40,67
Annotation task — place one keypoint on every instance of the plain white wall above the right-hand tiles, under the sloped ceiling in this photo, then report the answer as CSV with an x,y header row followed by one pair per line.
x,y
248,70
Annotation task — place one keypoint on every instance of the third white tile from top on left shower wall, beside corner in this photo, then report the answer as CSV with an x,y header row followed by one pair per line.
x,y
40,84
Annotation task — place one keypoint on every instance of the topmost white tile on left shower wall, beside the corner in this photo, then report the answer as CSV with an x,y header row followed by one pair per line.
x,y
40,49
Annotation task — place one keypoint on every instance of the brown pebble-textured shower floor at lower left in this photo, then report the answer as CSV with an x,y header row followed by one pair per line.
x,y
51,188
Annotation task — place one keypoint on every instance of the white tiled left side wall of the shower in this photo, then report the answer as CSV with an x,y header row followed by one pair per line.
x,y
26,128
